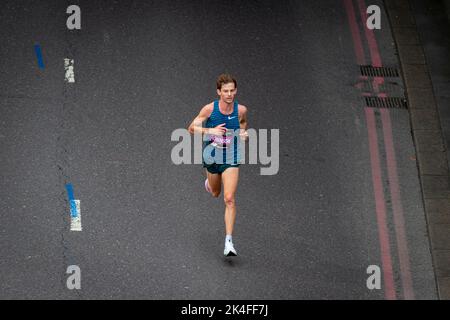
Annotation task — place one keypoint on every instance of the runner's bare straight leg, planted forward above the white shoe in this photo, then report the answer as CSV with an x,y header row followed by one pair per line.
x,y
230,181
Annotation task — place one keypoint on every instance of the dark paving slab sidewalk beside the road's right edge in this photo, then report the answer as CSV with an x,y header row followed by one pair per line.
x,y
430,120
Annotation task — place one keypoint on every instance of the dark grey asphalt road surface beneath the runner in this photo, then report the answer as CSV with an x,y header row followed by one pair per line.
x,y
144,69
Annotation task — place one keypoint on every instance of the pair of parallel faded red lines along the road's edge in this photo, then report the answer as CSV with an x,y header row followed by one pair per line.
x,y
380,204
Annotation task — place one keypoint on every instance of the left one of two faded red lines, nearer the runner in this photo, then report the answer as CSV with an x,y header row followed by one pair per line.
x,y
380,207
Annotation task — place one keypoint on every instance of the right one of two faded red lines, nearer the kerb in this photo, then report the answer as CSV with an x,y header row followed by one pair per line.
x,y
397,208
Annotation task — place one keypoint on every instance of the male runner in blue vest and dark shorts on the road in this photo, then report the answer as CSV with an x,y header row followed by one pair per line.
x,y
223,117
